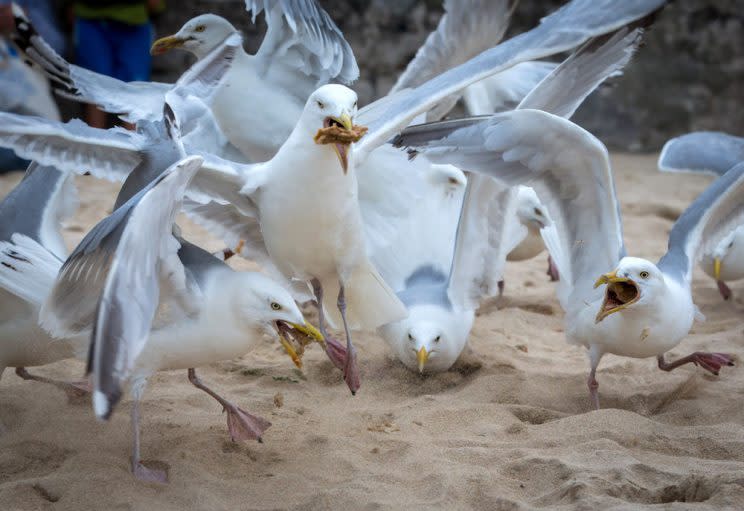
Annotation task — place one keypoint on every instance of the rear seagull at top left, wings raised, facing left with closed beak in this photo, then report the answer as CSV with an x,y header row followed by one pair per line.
x,y
302,50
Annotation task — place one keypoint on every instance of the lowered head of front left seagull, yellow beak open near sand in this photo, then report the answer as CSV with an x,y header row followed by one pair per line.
x,y
264,301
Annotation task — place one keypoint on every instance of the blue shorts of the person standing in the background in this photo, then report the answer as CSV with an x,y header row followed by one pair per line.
x,y
114,49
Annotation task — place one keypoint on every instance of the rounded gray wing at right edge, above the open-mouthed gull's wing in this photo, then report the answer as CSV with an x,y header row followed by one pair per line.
x,y
702,151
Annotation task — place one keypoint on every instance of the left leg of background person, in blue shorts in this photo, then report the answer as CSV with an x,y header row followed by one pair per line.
x,y
93,51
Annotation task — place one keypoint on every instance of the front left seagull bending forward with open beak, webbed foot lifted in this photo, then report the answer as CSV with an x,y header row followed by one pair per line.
x,y
133,262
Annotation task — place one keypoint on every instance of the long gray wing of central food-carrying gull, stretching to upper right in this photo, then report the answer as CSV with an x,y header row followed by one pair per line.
x,y
568,27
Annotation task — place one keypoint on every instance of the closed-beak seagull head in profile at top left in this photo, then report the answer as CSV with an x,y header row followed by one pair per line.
x,y
199,36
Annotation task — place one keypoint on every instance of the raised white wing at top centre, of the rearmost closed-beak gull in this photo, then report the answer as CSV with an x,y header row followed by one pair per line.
x,y
301,35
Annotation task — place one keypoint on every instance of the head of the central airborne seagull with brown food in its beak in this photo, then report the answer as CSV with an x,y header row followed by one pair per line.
x,y
329,114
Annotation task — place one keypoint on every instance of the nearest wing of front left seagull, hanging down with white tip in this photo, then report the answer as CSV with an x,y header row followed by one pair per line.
x,y
144,250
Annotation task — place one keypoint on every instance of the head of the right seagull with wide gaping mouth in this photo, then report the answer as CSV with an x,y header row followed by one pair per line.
x,y
634,282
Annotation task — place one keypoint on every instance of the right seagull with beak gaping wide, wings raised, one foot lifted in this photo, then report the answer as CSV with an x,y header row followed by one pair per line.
x,y
614,303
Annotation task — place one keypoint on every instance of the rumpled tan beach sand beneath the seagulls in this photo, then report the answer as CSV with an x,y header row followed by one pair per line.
x,y
509,427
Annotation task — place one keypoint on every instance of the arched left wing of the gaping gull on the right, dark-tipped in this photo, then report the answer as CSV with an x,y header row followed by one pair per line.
x,y
568,167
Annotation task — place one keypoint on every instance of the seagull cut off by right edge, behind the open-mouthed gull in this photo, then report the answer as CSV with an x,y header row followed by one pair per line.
x,y
714,153
